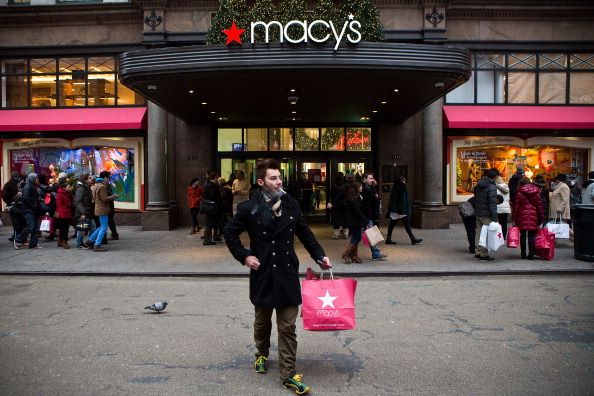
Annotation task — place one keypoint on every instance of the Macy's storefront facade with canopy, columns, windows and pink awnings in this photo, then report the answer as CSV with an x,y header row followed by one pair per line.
x,y
386,107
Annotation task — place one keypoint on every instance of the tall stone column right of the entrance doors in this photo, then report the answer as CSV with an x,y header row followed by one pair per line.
x,y
433,213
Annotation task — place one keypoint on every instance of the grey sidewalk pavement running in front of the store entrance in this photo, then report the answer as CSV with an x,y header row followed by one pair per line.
x,y
177,253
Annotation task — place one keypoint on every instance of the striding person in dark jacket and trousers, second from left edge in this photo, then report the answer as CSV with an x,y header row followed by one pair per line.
x,y
31,211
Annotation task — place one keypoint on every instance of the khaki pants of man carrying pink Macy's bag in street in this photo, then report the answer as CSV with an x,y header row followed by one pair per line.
x,y
287,338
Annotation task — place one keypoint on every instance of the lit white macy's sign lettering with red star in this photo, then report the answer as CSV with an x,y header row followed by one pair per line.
x,y
350,28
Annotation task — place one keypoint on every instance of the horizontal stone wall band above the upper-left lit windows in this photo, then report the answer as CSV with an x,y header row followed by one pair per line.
x,y
70,35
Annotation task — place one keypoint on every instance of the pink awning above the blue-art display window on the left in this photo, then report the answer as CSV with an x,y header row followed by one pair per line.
x,y
85,119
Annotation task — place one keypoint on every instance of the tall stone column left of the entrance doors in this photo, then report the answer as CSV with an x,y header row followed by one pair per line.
x,y
157,216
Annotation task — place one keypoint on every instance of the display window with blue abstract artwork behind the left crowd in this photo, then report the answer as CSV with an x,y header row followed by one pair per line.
x,y
120,156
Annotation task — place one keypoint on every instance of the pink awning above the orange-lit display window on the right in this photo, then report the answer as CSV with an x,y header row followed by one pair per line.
x,y
519,117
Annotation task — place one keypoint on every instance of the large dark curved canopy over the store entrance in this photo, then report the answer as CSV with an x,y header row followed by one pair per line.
x,y
282,83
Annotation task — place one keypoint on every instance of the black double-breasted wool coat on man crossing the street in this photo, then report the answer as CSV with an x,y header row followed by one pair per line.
x,y
276,282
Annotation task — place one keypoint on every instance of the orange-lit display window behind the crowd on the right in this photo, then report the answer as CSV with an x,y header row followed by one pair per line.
x,y
549,156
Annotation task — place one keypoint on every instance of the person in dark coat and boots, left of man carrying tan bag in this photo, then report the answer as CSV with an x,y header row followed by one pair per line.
x,y
356,221
